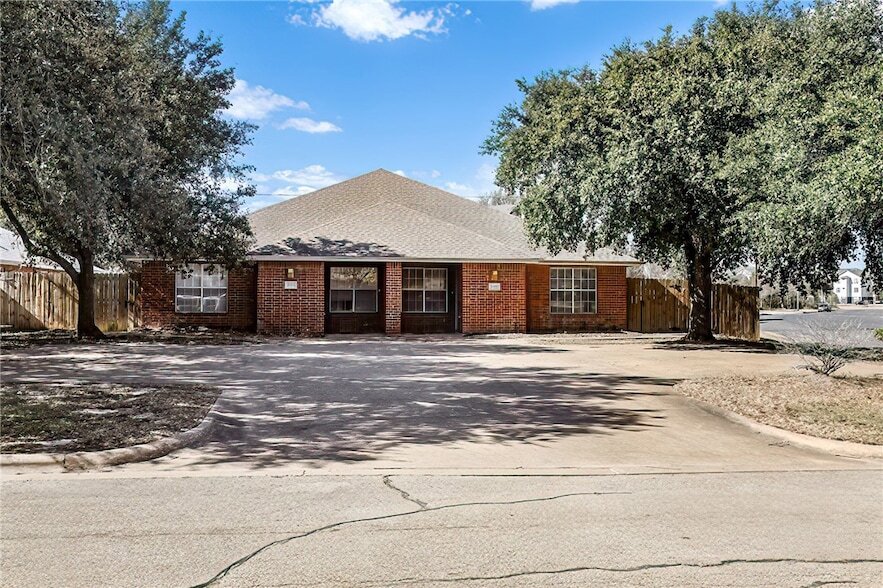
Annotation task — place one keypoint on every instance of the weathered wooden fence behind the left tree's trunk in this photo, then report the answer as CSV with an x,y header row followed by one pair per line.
x,y
48,300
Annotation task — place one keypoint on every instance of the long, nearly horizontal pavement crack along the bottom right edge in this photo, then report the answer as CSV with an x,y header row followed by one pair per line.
x,y
645,567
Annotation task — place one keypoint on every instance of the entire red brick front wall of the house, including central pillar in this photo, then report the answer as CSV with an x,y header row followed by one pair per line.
x,y
257,300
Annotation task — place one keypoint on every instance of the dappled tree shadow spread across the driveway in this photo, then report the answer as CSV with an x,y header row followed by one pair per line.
x,y
324,402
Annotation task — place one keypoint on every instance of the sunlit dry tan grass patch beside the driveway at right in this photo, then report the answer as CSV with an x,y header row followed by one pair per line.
x,y
843,408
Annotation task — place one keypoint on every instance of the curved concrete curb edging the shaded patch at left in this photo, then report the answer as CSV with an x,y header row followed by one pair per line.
x,y
84,460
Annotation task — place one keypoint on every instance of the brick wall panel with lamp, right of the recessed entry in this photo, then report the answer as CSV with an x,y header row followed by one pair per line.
x,y
484,311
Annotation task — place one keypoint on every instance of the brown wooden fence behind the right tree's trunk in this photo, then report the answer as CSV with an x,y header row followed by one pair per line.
x,y
663,306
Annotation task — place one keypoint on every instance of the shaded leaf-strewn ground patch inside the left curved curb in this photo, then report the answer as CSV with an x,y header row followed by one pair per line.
x,y
62,418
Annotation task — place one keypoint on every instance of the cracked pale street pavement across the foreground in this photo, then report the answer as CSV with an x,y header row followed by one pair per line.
x,y
788,529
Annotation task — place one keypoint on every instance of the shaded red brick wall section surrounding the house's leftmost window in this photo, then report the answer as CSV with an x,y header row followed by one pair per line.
x,y
158,300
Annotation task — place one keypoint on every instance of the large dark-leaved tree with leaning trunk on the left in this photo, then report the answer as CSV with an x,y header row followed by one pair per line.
x,y
113,141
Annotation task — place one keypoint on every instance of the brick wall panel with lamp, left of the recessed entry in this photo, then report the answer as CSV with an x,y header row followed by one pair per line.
x,y
291,312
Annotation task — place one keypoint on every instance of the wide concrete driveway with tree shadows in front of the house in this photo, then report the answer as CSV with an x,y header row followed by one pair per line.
x,y
338,405
